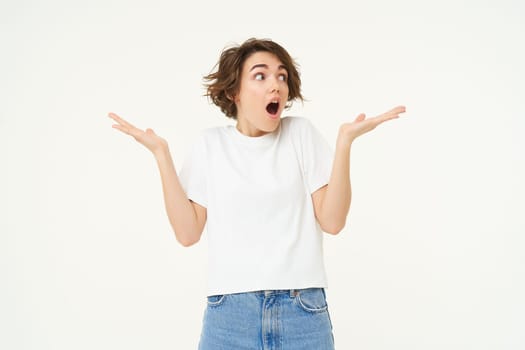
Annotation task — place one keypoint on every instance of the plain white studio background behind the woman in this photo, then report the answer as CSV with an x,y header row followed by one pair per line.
x,y
433,253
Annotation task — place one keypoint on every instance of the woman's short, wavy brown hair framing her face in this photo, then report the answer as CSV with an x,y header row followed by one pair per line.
x,y
223,84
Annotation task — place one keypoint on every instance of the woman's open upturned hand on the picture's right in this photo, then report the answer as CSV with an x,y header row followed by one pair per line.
x,y
348,132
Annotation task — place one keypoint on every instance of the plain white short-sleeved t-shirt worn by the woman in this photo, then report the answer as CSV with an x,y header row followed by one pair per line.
x,y
261,227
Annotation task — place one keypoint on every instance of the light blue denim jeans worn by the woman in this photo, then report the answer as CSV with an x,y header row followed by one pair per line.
x,y
294,319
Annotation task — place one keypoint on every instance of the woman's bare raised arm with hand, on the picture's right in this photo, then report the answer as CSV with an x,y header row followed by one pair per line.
x,y
332,202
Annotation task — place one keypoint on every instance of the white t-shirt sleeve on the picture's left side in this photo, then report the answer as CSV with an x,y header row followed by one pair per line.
x,y
192,175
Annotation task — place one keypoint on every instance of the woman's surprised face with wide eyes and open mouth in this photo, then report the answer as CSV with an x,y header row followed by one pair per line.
x,y
263,94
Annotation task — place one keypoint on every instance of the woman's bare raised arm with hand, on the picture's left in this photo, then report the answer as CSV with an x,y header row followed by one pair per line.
x,y
186,217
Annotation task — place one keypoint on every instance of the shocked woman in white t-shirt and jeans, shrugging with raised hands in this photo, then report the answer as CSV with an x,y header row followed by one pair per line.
x,y
266,188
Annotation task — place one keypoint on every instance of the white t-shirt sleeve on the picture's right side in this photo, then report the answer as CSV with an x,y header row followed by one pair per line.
x,y
317,156
